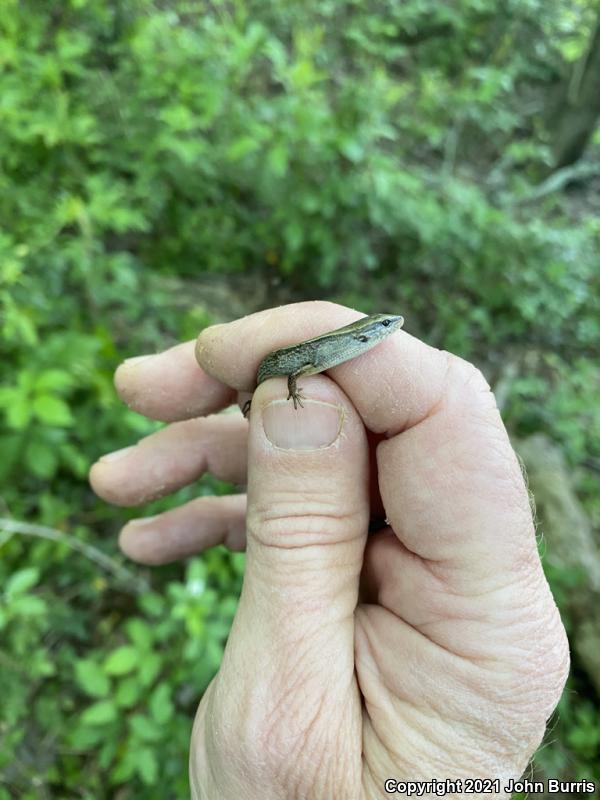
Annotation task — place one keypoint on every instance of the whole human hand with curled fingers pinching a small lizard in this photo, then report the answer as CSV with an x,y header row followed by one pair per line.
x,y
431,649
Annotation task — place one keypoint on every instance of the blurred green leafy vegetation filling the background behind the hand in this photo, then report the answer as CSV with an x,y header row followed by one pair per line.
x,y
436,158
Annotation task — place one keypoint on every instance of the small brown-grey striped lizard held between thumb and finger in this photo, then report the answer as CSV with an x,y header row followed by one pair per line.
x,y
322,352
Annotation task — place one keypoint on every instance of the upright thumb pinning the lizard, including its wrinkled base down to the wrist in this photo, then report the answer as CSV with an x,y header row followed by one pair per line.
x,y
286,693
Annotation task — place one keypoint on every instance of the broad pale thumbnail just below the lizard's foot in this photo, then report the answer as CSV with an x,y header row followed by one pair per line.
x,y
311,427
